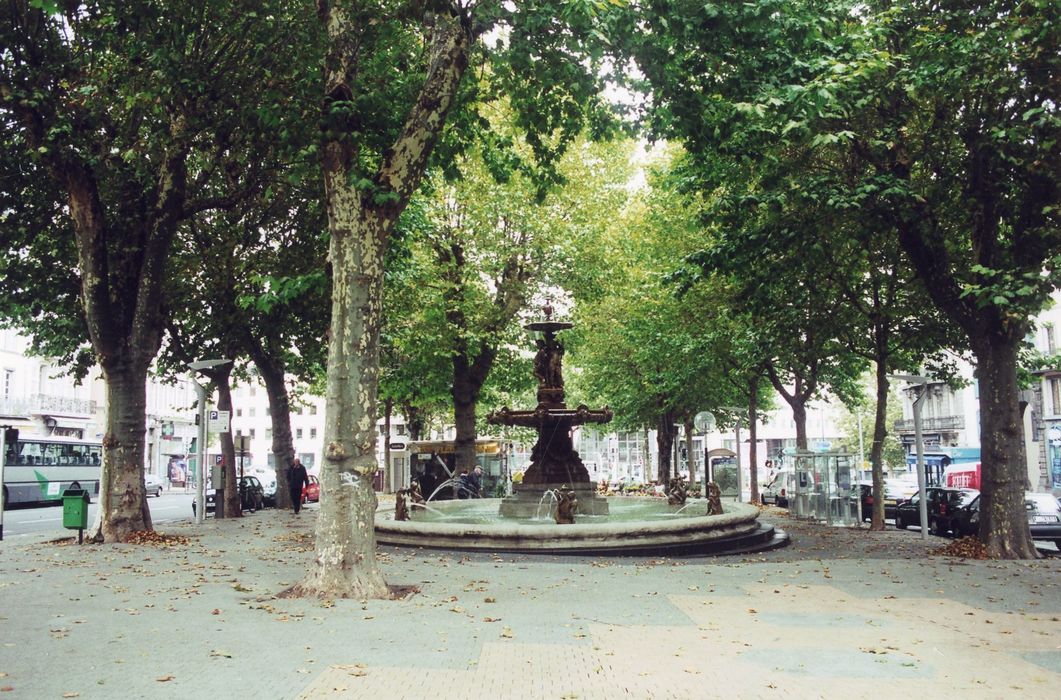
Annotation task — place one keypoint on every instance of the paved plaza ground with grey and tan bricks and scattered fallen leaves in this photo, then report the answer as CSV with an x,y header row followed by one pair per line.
x,y
840,612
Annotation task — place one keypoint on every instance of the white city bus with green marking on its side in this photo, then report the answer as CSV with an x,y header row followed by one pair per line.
x,y
39,469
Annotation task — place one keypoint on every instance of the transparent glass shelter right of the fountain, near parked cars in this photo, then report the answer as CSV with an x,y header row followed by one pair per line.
x,y
826,487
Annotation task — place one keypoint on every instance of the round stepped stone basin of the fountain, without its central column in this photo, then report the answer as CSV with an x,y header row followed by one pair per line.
x,y
651,533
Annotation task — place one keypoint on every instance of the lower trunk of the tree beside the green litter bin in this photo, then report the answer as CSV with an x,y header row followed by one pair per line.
x,y
124,506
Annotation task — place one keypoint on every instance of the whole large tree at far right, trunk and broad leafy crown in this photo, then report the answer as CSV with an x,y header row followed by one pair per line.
x,y
950,117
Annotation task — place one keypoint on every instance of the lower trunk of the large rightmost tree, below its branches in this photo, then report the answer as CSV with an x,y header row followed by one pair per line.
x,y
1004,524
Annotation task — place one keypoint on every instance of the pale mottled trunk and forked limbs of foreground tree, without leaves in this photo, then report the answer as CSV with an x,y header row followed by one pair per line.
x,y
359,225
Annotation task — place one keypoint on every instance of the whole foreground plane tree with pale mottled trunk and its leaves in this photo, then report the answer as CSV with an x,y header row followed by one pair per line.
x,y
397,95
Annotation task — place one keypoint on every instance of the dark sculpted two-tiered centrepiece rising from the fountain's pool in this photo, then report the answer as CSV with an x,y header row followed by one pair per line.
x,y
554,462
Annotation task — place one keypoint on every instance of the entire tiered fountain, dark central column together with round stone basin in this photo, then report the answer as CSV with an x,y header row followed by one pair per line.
x,y
632,527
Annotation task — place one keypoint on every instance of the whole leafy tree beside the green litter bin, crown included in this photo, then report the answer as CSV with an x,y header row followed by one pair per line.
x,y
116,119
